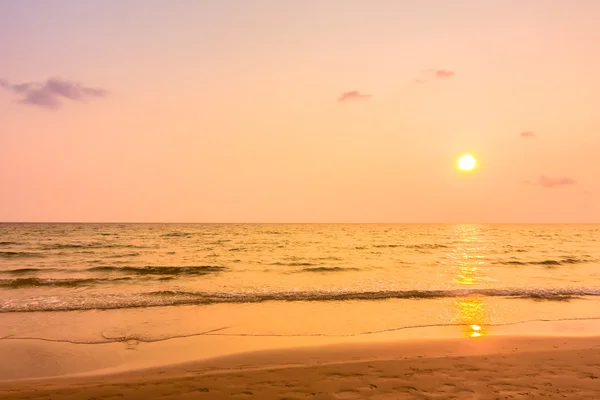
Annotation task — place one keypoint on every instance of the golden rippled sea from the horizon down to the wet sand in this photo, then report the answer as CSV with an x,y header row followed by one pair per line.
x,y
97,283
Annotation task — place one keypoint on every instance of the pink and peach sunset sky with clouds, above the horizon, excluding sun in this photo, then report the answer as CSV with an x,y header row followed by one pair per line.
x,y
299,111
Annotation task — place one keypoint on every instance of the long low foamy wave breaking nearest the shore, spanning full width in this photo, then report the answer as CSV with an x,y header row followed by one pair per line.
x,y
181,298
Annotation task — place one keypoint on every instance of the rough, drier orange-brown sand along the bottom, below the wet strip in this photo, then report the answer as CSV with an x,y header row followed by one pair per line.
x,y
481,368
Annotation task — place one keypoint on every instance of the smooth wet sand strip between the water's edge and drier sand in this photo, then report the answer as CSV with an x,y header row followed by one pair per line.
x,y
36,359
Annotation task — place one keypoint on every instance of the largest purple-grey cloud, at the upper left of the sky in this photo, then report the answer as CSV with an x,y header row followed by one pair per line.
x,y
51,93
